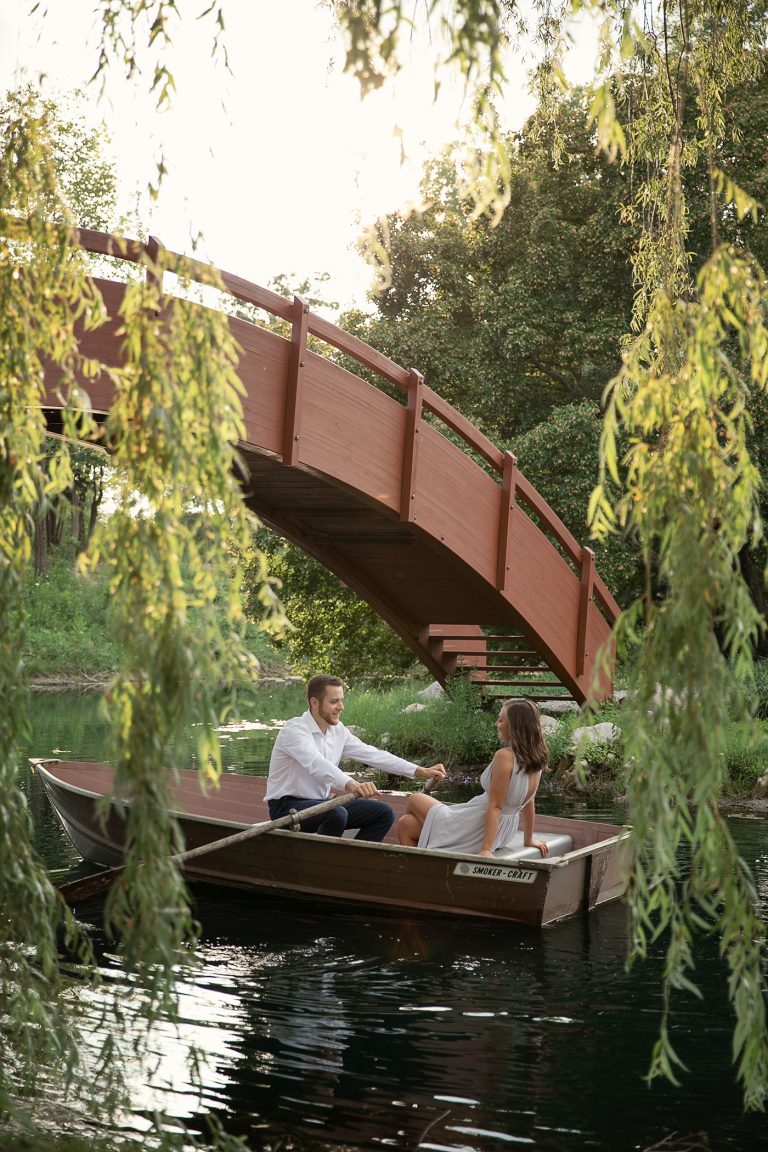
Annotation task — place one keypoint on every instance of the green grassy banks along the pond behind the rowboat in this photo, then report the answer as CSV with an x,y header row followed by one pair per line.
x,y
69,640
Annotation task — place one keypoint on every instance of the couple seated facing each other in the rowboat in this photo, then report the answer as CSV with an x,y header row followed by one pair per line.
x,y
305,771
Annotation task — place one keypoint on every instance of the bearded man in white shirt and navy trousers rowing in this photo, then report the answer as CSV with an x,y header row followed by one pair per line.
x,y
305,768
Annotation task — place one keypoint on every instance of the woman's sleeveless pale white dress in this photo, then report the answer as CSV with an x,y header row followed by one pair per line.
x,y
461,828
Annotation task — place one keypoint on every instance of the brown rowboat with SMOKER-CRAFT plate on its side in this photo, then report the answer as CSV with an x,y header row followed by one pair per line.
x,y
584,869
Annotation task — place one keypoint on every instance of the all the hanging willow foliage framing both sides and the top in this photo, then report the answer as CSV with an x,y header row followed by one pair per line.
x,y
699,350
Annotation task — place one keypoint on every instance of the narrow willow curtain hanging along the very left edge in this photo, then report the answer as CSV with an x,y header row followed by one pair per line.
x,y
44,289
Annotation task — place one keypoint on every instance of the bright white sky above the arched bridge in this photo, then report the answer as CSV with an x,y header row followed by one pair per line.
x,y
278,164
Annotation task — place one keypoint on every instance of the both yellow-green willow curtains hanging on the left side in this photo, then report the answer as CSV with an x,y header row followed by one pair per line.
x,y
171,548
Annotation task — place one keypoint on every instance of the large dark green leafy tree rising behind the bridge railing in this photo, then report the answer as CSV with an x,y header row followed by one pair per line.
x,y
481,309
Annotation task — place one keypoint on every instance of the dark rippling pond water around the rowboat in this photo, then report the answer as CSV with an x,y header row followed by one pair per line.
x,y
407,1034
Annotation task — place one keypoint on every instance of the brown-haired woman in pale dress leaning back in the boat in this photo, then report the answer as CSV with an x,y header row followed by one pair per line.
x,y
510,785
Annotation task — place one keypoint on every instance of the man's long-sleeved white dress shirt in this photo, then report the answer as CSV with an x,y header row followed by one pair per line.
x,y
306,761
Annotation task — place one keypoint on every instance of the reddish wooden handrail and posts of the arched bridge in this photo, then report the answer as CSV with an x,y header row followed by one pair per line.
x,y
516,489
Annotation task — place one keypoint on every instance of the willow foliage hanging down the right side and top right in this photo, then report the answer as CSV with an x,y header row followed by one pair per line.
x,y
697,355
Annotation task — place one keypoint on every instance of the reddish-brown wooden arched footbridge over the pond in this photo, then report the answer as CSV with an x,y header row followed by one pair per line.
x,y
443,535
